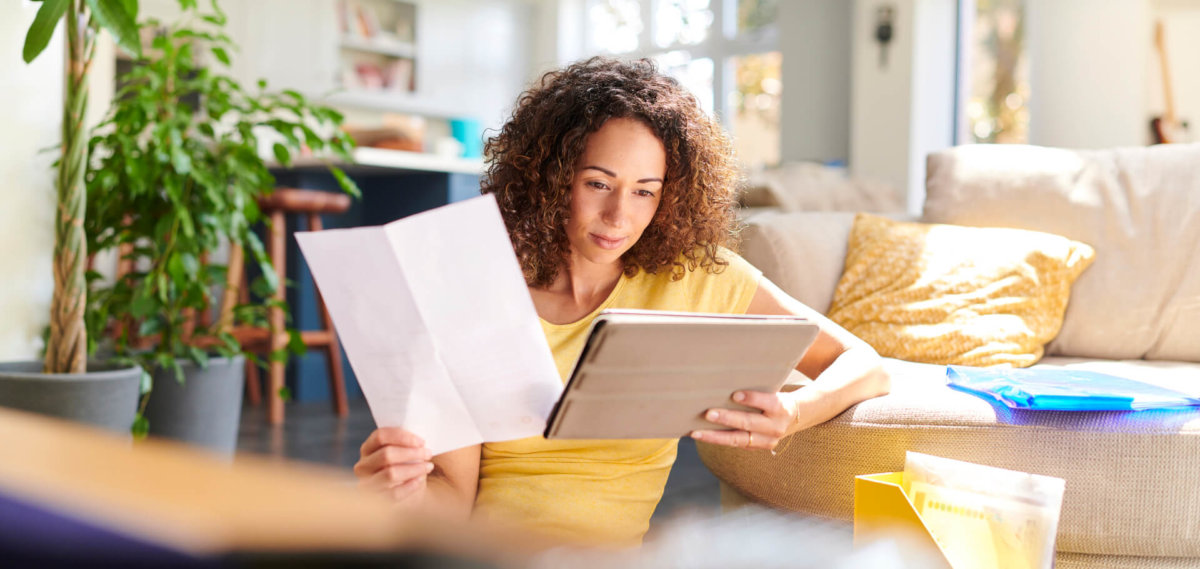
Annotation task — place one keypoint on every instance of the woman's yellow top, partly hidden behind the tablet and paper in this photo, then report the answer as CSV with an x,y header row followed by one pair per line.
x,y
602,493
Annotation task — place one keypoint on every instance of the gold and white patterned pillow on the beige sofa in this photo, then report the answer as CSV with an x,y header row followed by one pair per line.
x,y
952,295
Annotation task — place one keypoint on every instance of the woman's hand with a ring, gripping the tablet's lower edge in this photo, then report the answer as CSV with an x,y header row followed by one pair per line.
x,y
752,430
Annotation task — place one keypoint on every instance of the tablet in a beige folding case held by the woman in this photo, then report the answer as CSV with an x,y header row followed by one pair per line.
x,y
653,375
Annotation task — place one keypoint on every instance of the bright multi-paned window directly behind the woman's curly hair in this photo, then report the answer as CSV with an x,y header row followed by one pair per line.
x,y
725,52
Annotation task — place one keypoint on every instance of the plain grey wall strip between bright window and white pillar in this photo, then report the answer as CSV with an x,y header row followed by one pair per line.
x,y
815,113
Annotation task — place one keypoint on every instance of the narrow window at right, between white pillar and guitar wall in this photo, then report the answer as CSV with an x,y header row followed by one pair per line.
x,y
997,73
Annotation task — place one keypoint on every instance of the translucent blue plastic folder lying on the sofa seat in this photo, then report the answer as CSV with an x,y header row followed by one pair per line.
x,y
1064,390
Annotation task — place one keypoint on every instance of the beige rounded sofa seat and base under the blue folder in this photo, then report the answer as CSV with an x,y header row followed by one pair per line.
x,y
1131,476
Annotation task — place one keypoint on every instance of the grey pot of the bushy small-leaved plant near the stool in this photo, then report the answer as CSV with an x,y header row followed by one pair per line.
x,y
206,410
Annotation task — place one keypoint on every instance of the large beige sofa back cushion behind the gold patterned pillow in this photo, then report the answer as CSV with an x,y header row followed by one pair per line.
x,y
1138,207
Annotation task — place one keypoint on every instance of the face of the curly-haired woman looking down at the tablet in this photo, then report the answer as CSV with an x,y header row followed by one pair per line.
x,y
616,191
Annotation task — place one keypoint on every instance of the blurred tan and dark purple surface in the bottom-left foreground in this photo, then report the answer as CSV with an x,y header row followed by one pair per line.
x,y
73,495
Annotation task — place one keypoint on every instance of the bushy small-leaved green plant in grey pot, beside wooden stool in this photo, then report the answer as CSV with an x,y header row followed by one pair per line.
x,y
176,173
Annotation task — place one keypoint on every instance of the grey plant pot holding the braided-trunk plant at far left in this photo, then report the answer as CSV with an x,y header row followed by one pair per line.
x,y
105,397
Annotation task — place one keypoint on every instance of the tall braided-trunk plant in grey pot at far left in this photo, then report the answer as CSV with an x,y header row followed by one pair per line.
x,y
65,385
